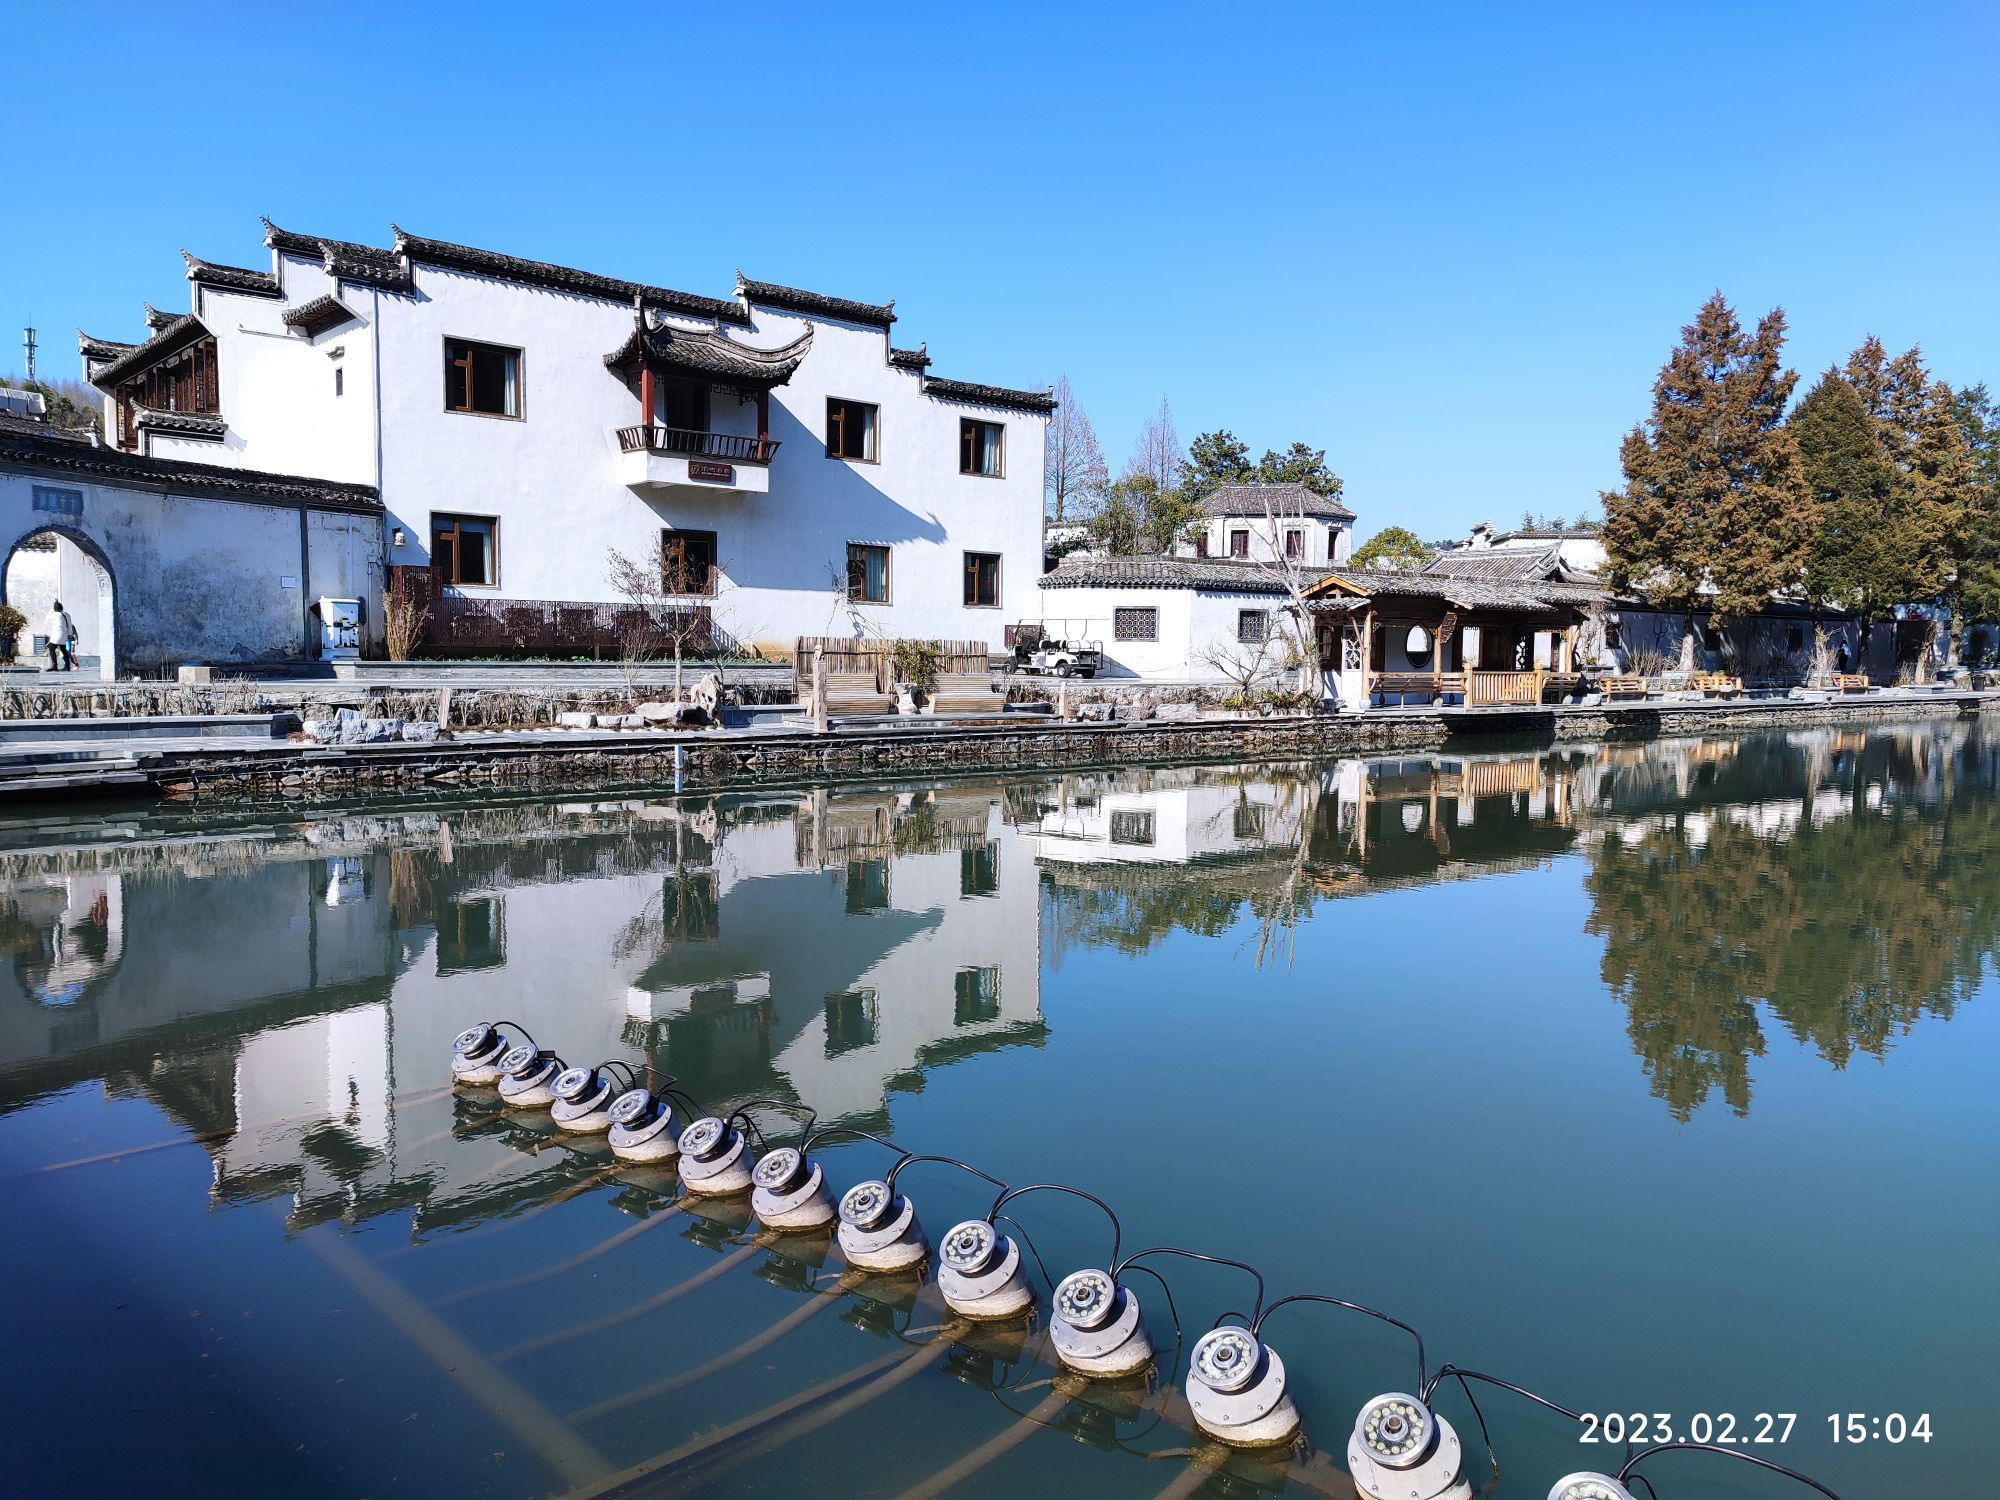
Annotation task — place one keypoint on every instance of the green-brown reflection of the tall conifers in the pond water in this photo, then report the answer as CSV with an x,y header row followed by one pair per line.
x,y
1851,903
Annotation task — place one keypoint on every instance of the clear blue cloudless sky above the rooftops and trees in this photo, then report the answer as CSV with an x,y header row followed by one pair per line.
x,y
1451,247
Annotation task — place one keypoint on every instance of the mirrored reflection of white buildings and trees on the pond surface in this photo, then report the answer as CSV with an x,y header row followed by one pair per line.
x,y
277,987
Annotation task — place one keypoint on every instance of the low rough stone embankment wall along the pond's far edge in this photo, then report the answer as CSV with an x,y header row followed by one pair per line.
x,y
593,759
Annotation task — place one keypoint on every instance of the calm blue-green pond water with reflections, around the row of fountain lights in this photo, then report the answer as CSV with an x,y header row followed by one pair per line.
x,y
1655,1079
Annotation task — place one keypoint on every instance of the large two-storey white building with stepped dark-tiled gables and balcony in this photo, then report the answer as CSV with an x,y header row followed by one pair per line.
x,y
521,419
